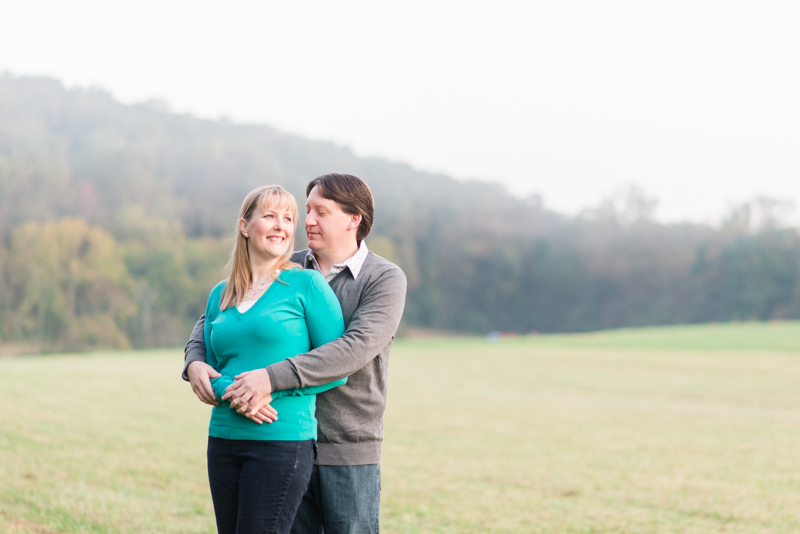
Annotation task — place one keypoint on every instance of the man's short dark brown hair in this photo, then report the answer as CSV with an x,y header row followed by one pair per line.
x,y
351,193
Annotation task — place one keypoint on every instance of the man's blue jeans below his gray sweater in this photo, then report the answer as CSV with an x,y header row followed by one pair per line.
x,y
341,500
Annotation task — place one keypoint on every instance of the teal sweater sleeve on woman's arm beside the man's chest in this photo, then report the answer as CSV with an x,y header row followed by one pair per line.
x,y
325,323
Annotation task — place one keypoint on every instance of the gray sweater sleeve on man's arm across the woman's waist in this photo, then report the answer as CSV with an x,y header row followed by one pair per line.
x,y
371,328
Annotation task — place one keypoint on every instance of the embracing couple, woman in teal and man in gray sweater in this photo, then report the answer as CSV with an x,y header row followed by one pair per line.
x,y
293,353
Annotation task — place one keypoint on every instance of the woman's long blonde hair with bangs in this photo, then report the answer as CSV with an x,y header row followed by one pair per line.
x,y
239,264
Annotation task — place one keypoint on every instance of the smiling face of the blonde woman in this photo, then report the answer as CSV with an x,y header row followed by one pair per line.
x,y
269,231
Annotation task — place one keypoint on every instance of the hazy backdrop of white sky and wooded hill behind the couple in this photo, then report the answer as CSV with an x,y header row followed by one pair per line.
x,y
537,167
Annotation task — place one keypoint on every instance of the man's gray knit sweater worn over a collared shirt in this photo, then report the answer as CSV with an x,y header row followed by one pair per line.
x,y
350,417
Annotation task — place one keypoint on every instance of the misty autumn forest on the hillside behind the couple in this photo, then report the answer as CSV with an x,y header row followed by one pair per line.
x,y
115,222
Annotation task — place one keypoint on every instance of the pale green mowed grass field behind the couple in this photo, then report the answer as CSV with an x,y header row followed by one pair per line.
x,y
683,429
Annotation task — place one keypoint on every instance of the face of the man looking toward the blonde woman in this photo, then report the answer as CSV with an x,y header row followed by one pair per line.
x,y
328,227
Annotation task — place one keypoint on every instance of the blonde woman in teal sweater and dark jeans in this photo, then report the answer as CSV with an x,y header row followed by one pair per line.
x,y
268,310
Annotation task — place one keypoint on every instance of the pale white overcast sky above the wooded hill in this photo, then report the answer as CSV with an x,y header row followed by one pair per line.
x,y
697,102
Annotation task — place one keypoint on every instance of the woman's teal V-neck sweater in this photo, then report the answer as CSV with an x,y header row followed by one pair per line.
x,y
297,313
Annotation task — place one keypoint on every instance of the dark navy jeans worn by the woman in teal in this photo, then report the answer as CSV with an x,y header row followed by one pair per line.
x,y
257,486
